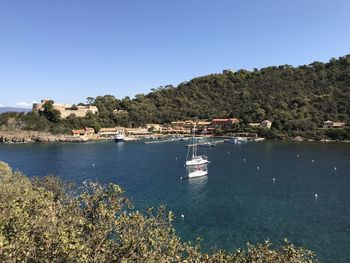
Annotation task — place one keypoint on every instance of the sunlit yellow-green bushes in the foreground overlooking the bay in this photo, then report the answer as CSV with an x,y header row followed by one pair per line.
x,y
45,220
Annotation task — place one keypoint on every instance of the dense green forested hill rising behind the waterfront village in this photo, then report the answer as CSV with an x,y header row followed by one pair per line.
x,y
290,96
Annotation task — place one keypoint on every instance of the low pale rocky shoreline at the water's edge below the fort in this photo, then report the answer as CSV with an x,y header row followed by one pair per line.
x,y
35,136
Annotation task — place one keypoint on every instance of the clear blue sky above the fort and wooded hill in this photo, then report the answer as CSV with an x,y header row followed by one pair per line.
x,y
70,49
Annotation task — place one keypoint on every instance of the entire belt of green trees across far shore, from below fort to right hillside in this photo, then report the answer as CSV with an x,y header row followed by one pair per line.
x,y
297,99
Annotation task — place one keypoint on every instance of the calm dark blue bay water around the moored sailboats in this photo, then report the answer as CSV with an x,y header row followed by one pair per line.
x,y
236,203
